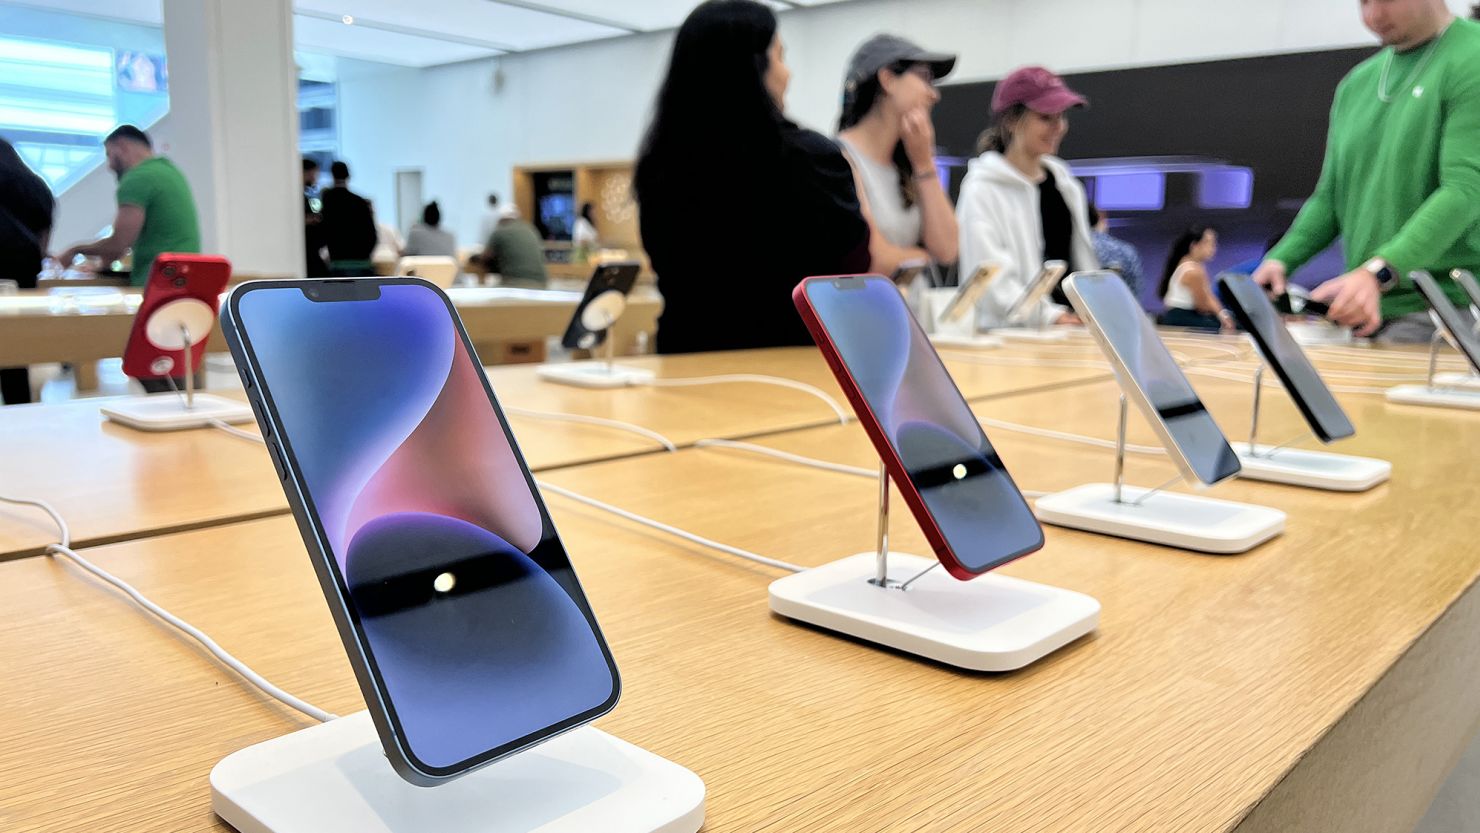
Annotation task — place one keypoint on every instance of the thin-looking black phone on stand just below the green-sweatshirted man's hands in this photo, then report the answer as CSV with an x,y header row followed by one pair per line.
x,y
1300,378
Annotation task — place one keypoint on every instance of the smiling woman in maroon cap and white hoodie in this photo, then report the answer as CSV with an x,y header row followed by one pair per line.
x,y
1020,205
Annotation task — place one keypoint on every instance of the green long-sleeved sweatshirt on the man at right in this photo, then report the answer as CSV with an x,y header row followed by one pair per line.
x,y
1402,178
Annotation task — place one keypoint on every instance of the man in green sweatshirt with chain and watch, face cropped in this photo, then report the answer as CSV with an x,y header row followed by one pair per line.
x,y
1401,184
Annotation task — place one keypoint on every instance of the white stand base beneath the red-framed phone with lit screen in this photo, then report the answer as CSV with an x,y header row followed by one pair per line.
x,y
992,624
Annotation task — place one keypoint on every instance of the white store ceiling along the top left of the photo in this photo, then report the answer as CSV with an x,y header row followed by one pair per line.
x,y
424,33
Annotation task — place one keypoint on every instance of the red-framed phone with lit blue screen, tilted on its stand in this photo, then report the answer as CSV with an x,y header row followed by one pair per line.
x,y
918,408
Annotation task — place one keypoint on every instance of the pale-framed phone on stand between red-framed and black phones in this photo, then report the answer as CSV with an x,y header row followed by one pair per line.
x,y
1123,328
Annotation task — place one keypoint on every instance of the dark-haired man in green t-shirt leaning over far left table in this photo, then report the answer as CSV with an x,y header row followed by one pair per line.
x,y
156,209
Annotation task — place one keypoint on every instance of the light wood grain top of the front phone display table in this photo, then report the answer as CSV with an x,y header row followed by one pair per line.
x,y
1210,683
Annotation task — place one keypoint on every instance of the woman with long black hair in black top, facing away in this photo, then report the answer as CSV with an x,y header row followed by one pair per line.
x,y
739,205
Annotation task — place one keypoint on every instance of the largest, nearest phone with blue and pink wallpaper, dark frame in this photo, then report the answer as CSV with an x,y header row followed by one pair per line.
x,y
465,604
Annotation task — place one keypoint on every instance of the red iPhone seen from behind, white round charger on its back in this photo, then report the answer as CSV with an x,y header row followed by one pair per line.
x,y
180,308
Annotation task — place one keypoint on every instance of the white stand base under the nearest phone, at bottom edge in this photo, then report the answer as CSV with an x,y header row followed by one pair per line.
x,y
335,779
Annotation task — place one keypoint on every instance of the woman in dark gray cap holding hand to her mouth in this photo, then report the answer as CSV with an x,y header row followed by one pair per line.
x,y
887,134
